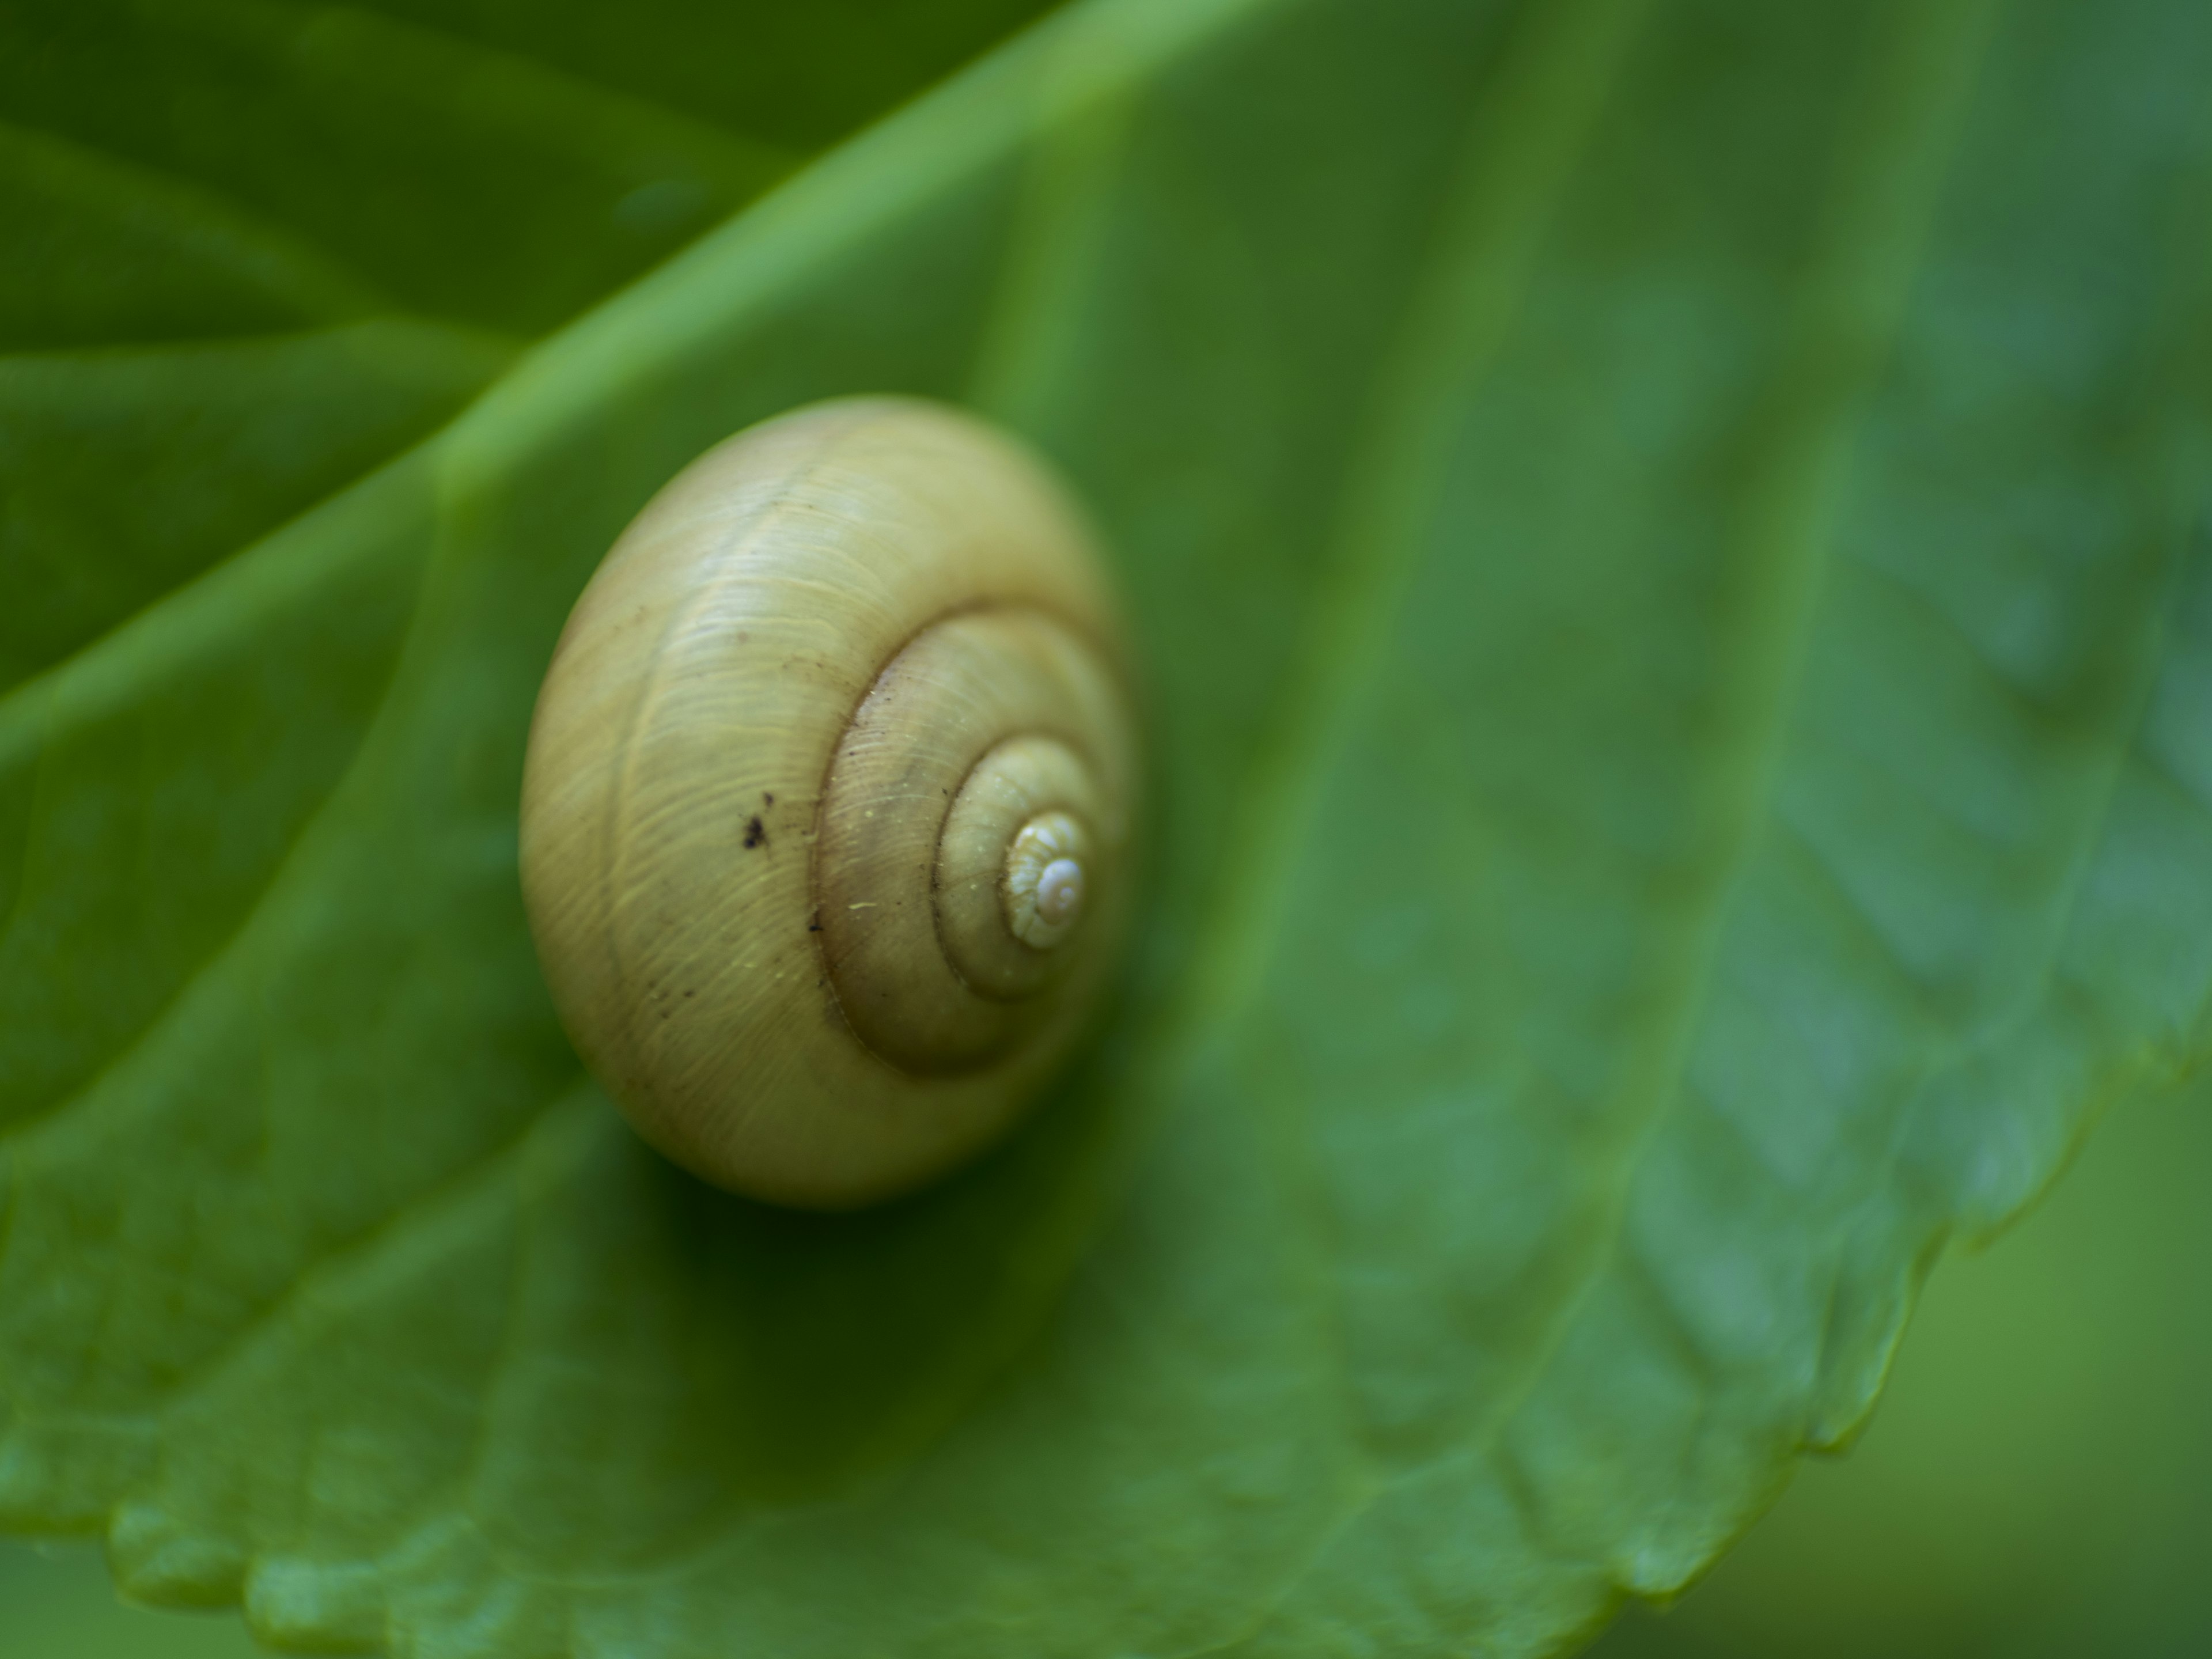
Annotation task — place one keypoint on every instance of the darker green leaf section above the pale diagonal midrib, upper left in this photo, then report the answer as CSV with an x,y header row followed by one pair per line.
x,y
225,185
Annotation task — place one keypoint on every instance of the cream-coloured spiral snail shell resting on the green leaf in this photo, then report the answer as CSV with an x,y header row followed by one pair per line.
x,y
828,804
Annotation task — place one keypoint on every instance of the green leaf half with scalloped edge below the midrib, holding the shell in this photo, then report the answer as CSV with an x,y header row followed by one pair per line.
x,y
1667,541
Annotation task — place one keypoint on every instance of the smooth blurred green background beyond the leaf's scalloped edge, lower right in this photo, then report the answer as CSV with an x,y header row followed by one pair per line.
x,y
2038,1479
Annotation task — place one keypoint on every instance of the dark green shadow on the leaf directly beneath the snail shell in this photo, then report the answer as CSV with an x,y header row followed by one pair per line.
x,y
762,1357
